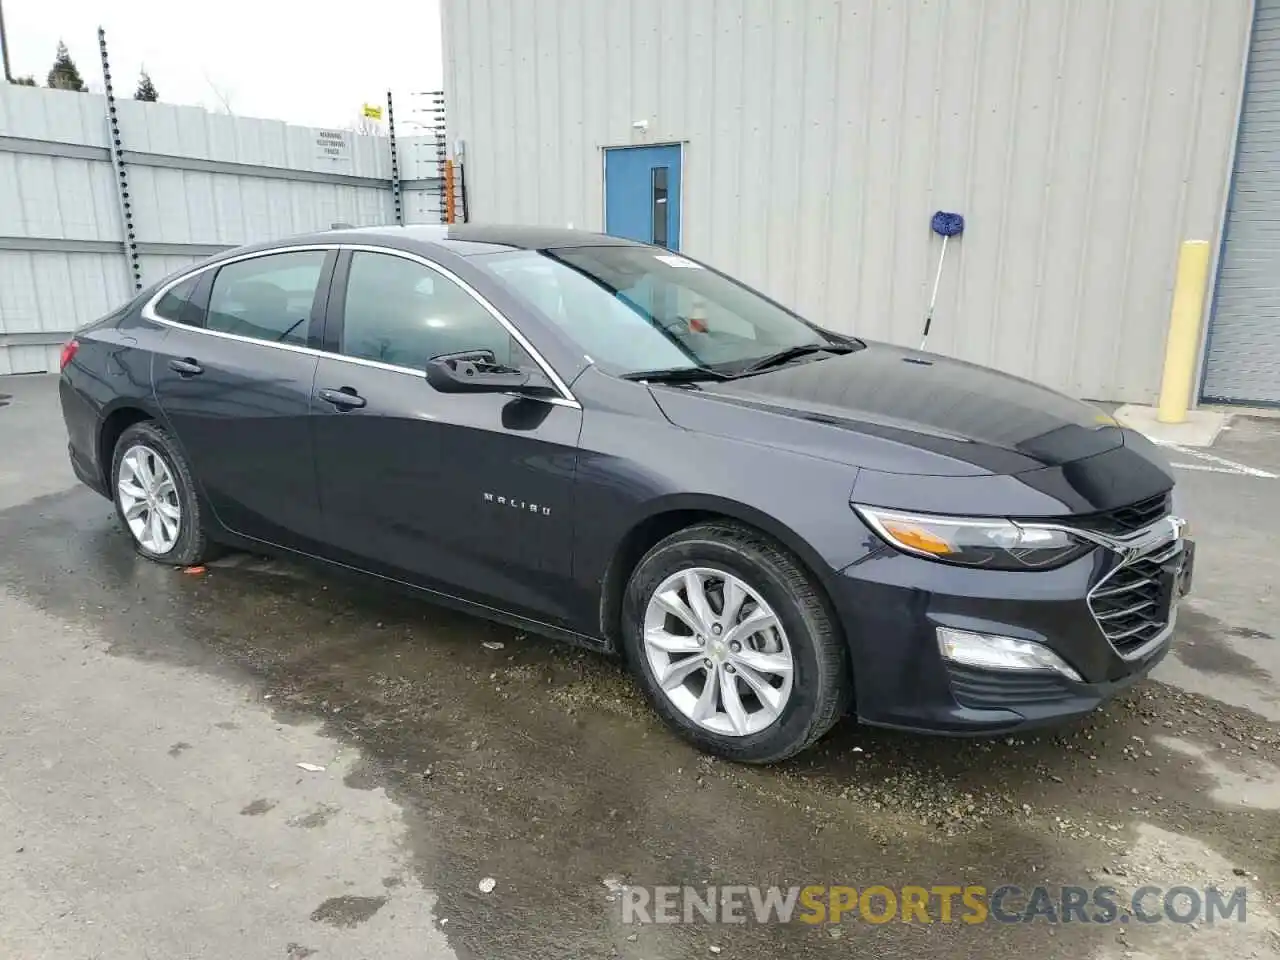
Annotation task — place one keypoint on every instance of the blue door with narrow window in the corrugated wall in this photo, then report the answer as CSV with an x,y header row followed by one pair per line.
x,y
642,194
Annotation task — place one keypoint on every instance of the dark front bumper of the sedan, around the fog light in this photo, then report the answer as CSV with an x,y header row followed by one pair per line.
x,y
892,606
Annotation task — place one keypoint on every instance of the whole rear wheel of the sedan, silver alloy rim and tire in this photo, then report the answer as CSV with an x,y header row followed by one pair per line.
x,y
156,496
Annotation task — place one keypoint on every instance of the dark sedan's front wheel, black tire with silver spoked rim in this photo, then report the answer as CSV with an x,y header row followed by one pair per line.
x,y
820,687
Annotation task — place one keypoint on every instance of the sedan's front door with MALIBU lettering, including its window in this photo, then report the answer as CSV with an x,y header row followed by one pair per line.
x,y
465,493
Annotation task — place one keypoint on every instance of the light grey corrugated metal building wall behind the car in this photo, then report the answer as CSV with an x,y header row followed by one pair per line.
x,y
1081,139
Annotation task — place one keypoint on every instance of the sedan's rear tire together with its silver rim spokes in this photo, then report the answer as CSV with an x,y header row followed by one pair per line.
x,y
190,546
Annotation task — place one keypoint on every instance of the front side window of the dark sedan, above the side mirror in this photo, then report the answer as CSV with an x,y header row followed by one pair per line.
x,y
401,313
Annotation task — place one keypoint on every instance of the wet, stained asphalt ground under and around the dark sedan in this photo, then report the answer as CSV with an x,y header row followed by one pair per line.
x,y
152,724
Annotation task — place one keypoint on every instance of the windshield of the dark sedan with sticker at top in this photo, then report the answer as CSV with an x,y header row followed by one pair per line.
x,y
644,309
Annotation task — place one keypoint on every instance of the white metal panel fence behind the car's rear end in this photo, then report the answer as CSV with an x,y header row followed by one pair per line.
x,y
196,184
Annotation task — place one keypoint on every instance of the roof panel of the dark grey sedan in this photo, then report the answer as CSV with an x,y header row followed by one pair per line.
x,y
468,240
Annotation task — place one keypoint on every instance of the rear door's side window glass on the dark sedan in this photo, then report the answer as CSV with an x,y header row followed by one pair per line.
x,y
267,299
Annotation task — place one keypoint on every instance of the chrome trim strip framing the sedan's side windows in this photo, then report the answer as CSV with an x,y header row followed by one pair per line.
x,y
566,397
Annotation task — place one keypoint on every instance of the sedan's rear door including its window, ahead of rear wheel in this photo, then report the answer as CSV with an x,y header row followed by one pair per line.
x,y
235,380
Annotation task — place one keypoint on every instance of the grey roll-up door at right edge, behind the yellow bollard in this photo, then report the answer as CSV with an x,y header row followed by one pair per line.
x,y
1244,358
